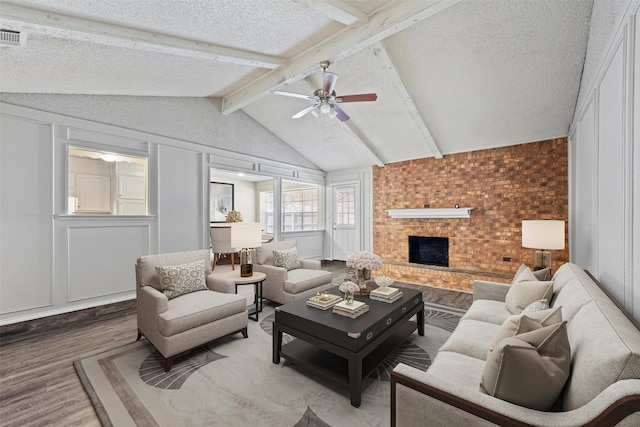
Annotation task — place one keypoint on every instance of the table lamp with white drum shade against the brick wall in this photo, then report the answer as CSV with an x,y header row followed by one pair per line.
x,y
541,235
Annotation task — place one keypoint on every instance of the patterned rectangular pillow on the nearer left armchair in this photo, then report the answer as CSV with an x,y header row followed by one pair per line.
x,y
176,280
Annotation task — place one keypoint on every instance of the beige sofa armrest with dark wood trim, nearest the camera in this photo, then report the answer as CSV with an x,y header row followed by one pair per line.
x,y
419,395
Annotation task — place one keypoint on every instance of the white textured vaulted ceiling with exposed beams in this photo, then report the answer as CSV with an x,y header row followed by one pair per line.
x,y
450,75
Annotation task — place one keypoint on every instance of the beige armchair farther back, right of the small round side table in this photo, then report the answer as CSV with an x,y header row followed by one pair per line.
x,y
284,286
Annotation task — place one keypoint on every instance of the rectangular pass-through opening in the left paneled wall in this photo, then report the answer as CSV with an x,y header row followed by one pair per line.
x,y
106,183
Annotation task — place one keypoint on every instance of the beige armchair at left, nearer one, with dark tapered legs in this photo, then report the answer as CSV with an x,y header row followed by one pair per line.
x,y
175,326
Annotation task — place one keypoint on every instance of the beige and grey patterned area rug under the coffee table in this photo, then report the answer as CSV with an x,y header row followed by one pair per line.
x,y
233,382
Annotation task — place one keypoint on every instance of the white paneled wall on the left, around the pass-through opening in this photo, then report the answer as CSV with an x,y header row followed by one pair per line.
x,y
52,262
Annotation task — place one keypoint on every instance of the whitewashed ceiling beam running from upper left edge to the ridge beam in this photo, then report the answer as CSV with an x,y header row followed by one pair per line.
x,y
21,18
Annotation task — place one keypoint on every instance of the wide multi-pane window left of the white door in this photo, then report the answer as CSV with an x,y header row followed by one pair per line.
x,y
300,206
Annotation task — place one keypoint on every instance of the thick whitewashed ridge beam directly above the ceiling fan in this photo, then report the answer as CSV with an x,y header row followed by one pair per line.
x,y
383,24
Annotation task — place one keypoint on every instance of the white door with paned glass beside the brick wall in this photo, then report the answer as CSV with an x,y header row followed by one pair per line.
x,y
346,223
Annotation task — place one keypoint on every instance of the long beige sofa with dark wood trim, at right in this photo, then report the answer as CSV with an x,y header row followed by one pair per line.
x,y
603,387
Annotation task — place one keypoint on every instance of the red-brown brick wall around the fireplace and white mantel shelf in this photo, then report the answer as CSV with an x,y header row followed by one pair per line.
x,y
502,185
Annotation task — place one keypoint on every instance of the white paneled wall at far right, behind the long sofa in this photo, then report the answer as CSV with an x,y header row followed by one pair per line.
x,y
604,199
